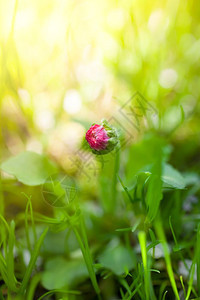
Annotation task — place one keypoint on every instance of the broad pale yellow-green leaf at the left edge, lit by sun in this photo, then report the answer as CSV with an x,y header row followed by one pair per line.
x,y
29,168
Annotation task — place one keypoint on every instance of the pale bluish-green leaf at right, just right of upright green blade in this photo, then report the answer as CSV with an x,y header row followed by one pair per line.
x,y
172,177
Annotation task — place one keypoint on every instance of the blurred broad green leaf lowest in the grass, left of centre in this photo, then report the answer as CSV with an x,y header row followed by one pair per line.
x,y
60,273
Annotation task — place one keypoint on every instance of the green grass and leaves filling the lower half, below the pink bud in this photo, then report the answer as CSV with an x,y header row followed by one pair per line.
x,y
154,188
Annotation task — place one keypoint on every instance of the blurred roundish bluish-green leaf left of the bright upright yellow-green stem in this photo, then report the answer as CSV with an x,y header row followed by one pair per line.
x,y
117,259
